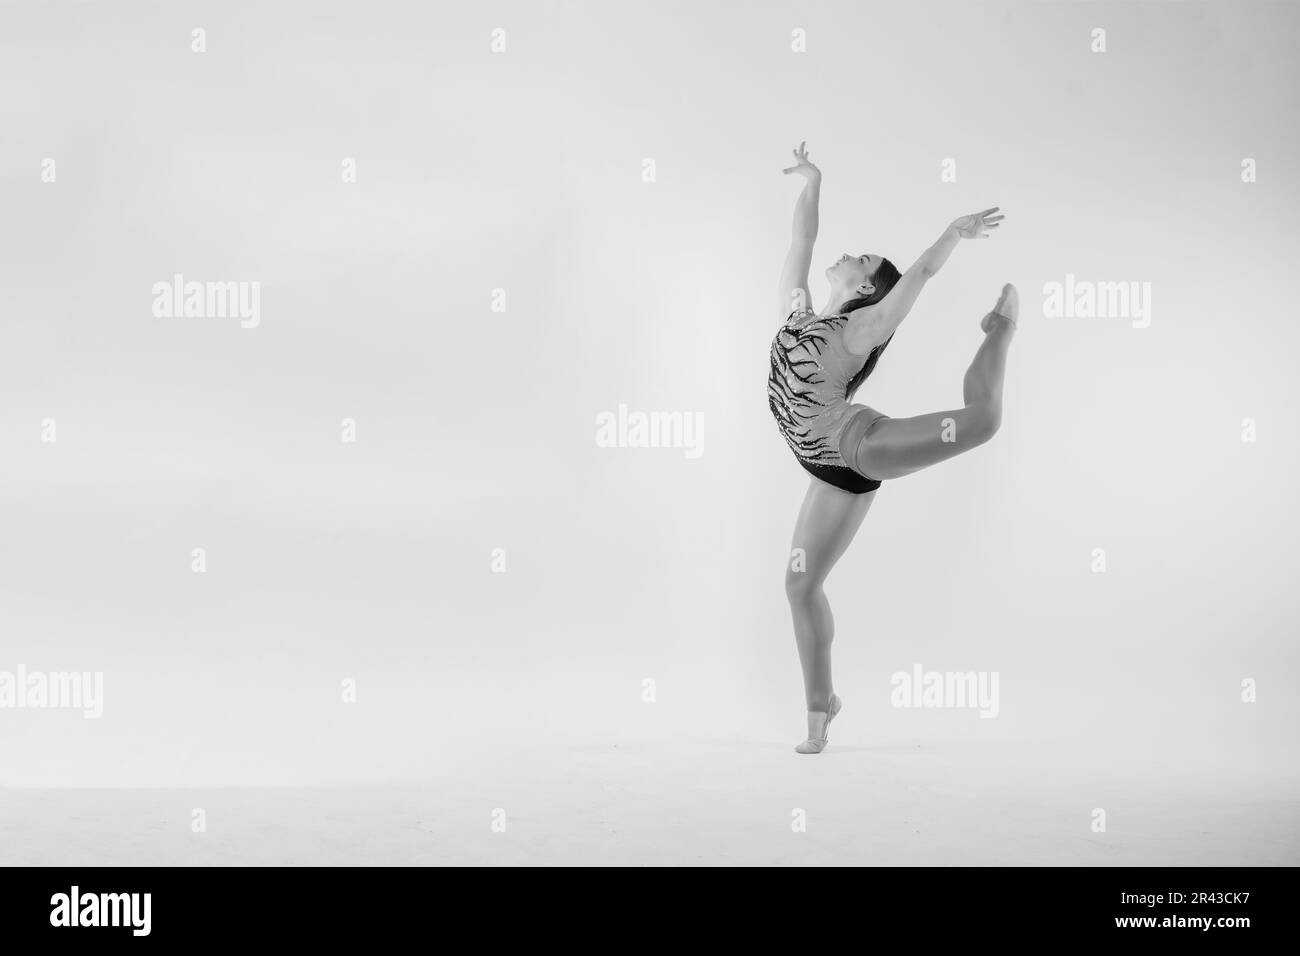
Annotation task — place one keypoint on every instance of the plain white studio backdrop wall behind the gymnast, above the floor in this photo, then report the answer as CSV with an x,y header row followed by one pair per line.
x,y
492,579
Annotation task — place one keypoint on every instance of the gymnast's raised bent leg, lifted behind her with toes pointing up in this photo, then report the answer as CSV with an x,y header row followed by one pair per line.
x,y
894,448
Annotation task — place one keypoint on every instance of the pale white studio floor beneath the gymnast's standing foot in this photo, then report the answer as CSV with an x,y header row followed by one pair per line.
x,y
687,802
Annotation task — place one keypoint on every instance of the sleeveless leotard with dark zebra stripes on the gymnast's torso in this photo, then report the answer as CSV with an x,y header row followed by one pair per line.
x,y
811,392
